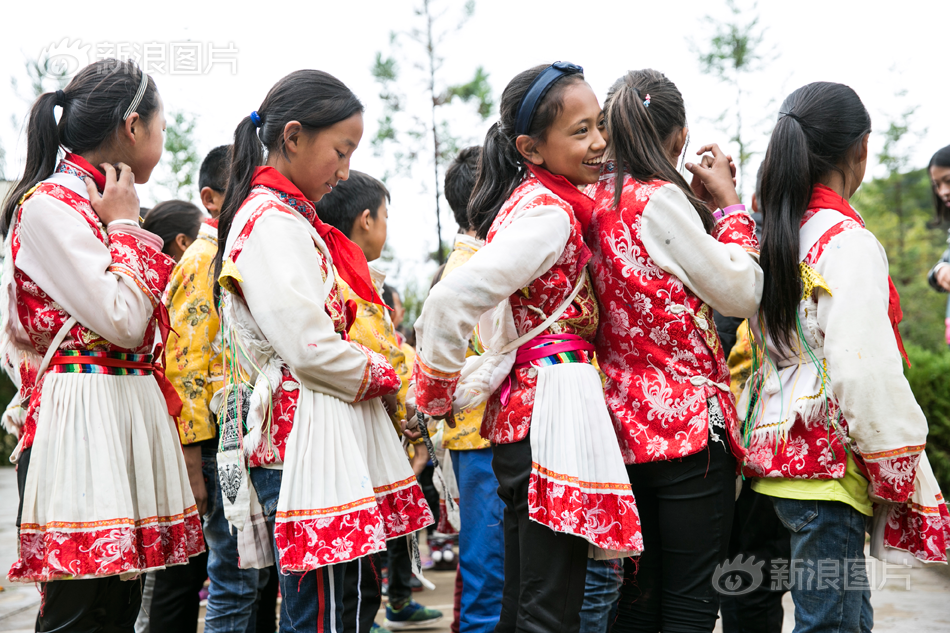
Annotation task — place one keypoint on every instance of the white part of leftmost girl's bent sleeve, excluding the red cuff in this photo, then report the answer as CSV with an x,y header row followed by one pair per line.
x,y
61,254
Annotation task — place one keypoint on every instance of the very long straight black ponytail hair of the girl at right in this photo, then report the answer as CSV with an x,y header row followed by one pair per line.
x,y
820,127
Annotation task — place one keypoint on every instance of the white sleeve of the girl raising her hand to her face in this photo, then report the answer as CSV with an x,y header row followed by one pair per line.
x,y
723,275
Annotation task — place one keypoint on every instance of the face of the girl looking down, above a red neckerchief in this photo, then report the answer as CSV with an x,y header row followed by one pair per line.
x,y
319,160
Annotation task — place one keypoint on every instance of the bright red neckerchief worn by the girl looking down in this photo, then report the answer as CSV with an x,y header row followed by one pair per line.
x,y
347,256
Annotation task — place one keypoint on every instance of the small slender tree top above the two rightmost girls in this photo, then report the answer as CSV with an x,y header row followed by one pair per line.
x,y
732,55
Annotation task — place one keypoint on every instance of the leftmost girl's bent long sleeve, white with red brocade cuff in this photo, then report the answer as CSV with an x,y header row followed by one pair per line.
x,y
112,290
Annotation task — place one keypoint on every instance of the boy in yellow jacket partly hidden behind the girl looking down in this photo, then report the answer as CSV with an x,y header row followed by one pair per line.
x,y
358,208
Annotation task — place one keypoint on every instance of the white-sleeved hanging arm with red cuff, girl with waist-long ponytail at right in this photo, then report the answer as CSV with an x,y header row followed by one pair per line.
x,y
865,365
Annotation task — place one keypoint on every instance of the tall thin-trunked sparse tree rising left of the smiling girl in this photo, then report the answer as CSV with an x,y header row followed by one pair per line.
x,y
418,135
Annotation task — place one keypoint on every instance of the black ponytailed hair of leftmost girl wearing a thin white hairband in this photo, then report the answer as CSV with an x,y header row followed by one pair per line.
x,y
93,103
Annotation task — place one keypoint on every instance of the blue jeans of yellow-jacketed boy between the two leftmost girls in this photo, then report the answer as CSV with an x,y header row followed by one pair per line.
x,y
233,593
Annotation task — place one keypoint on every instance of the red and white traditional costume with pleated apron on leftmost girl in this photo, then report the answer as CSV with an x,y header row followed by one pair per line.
x,y
104,489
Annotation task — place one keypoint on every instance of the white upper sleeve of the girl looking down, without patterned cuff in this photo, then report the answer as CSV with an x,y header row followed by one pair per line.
x,y
284,291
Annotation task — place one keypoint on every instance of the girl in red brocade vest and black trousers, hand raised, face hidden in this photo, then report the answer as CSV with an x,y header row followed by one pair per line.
x,y
661,263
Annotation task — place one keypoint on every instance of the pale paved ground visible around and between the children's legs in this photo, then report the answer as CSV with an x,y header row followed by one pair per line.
x,y
905,601
